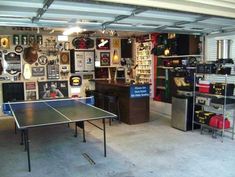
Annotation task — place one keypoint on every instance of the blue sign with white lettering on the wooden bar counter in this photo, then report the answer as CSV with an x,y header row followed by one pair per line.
x,y
139,91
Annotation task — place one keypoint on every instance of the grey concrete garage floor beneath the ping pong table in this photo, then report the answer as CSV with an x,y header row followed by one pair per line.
x,y
152,149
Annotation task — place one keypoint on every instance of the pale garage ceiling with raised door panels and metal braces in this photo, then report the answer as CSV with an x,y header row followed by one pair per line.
x,y
184,16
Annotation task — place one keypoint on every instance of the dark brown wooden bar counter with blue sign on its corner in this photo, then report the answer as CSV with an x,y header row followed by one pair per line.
x,y
133,99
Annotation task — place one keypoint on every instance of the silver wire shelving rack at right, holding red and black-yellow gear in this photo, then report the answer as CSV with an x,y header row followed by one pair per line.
x,y
222,110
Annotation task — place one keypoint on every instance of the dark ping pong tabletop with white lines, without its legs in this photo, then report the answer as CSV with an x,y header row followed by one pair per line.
x,y
49,112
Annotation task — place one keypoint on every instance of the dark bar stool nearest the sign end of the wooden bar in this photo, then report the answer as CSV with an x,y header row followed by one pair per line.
x,y
113,106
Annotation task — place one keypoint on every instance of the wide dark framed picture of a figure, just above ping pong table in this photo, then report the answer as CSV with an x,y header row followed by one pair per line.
x,y
52,89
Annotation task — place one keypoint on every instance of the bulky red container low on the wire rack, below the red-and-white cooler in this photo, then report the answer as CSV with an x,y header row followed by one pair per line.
x,y
217,122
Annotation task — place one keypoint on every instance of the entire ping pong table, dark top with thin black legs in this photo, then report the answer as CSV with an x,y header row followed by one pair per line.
x,y
42,113
